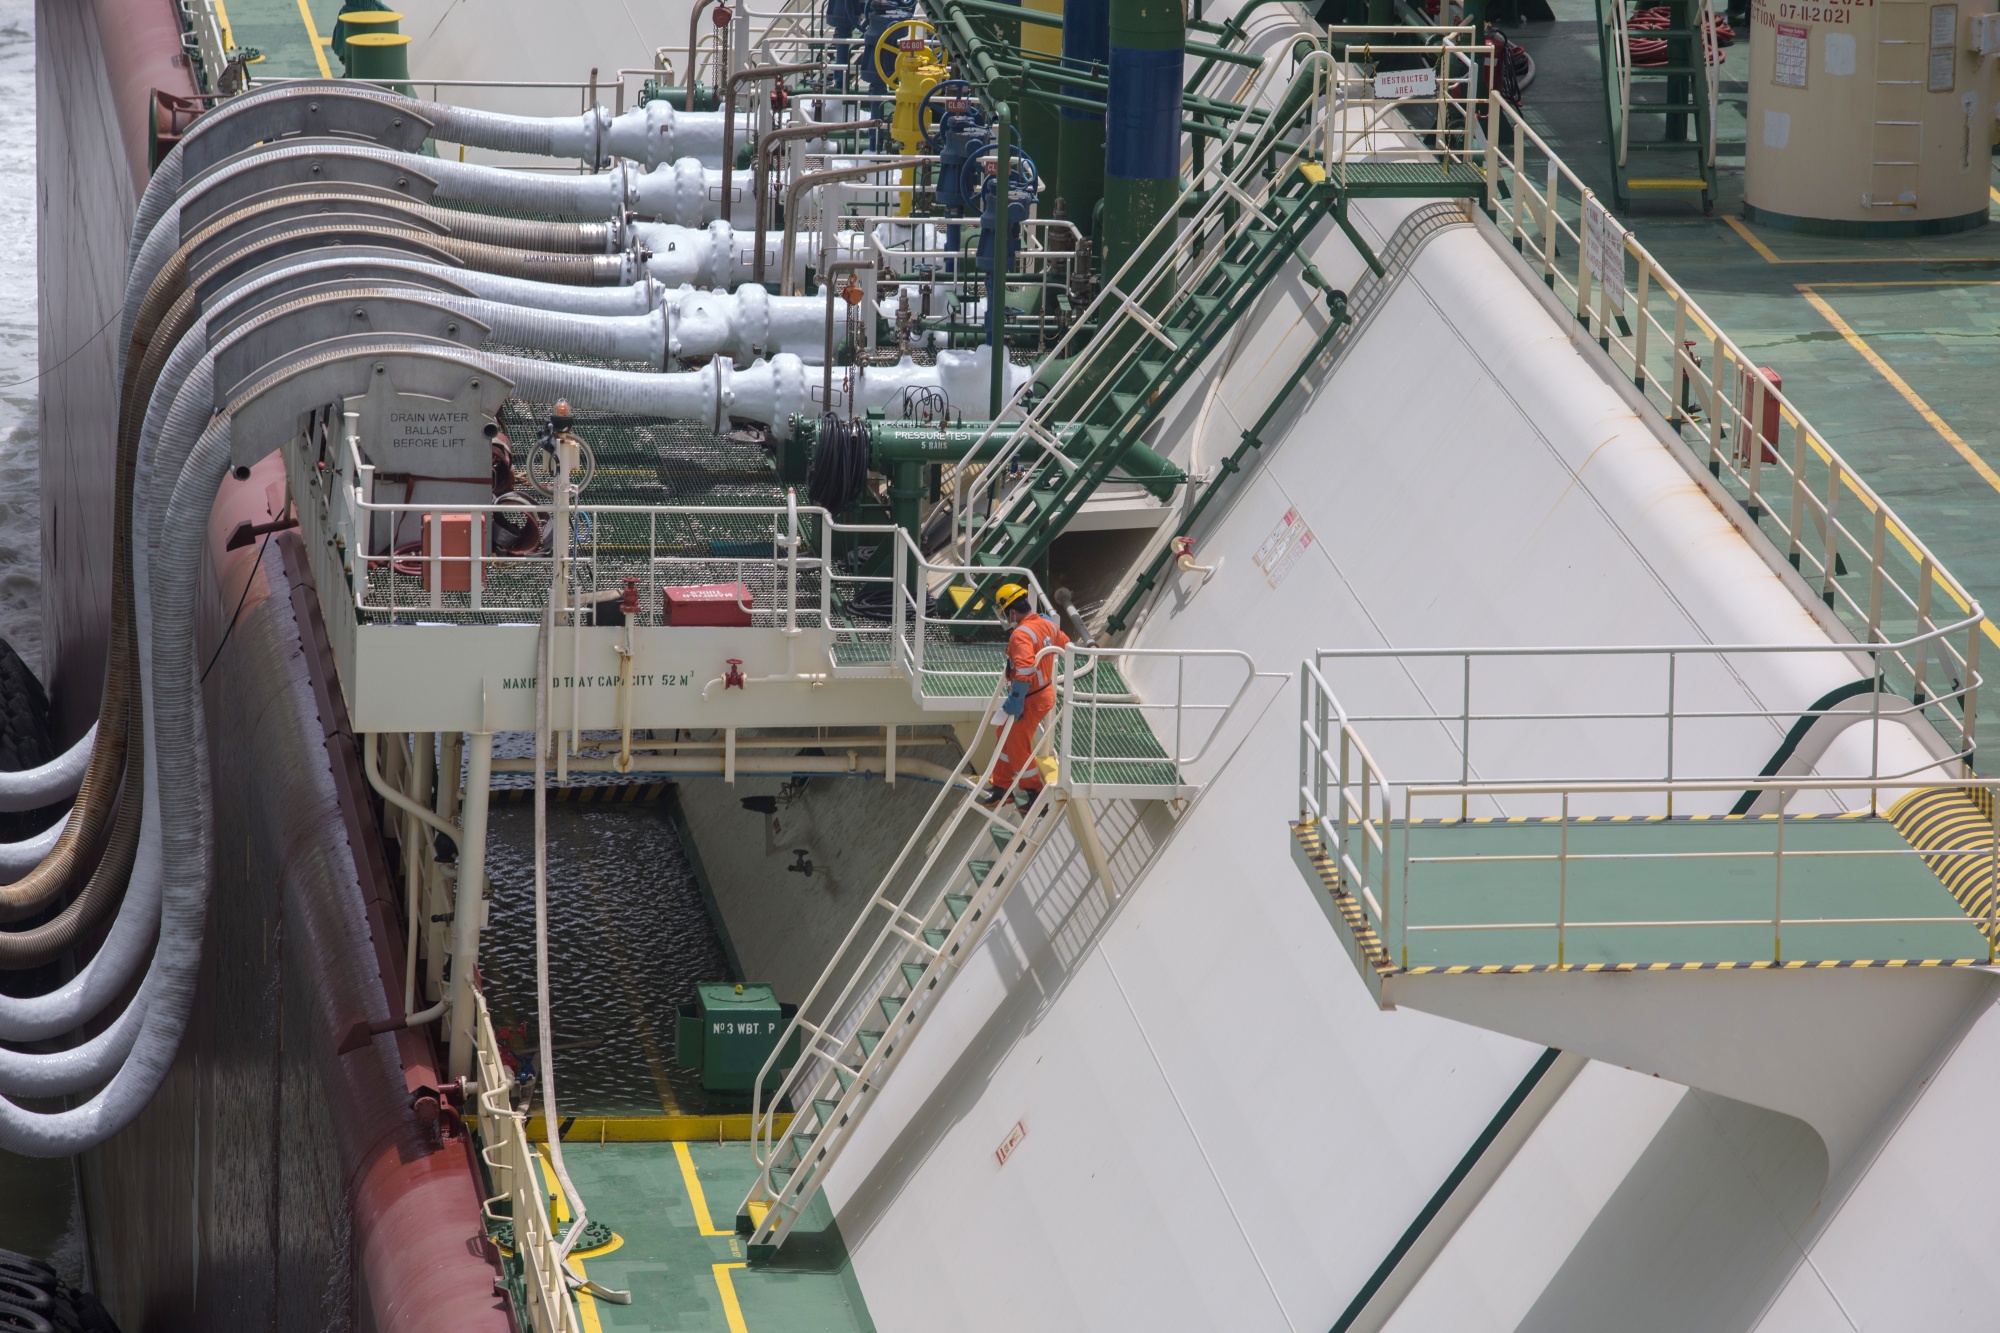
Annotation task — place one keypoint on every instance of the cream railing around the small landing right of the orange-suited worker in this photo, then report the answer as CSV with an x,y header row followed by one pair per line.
x,y
1115,734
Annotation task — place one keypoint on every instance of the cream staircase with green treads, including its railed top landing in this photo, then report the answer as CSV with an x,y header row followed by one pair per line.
x,y
947,888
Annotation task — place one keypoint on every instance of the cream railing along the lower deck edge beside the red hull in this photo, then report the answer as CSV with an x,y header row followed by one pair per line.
x,y
515,1170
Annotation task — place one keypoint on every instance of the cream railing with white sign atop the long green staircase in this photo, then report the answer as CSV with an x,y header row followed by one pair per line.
x,y
1403,99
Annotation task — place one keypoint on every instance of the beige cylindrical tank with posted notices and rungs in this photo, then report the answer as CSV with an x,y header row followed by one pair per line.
x,y
1871,117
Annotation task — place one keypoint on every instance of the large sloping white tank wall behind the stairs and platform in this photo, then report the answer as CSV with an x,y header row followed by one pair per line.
x,y
1221,1130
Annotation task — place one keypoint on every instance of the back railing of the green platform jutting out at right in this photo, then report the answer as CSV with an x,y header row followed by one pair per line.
x,y
1645,708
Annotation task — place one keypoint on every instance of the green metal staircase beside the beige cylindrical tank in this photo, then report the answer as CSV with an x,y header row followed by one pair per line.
x,y
1689,93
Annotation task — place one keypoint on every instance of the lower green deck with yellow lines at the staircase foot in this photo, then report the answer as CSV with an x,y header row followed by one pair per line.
x,y
681,1260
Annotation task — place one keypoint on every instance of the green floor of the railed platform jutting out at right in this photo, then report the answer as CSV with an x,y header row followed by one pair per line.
x,y
1675,870
